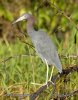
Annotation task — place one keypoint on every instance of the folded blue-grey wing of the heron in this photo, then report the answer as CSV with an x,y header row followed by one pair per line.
x,y
47,50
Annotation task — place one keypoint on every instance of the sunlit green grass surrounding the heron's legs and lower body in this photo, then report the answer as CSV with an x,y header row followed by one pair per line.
x,y
17,74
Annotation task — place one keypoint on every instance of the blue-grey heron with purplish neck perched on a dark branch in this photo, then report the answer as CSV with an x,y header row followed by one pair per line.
x,y
43,44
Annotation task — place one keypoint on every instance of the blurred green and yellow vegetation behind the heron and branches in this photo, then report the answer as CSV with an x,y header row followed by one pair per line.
x,y
60,20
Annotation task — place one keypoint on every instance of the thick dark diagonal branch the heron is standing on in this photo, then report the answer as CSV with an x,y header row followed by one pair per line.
x,y
34,95
